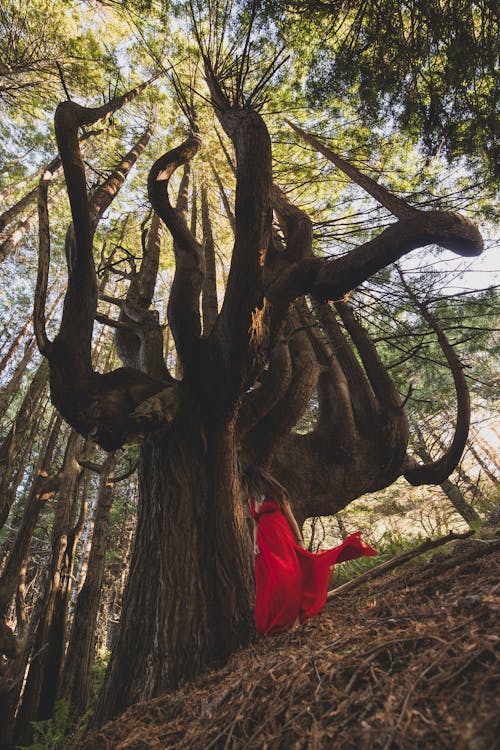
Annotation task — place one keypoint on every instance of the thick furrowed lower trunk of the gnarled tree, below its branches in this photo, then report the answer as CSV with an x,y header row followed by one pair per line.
x,y
188,597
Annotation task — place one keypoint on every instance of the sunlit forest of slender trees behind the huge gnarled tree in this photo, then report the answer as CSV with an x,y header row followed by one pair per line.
x,y
405,92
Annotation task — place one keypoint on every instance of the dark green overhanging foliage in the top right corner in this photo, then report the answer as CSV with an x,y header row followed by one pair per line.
x,y
423,66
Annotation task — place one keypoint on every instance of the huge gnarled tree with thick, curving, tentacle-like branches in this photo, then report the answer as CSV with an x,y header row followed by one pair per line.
x,y
246,379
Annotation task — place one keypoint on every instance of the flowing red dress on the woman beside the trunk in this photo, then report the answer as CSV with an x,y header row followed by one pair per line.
x,y
291,582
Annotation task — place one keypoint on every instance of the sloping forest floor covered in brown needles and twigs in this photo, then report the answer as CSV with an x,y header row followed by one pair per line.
x,y
409,660
